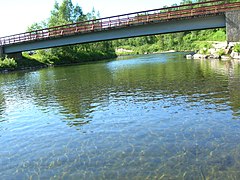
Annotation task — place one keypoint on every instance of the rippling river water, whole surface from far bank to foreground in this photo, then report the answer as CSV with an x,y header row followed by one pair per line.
x,y
154,116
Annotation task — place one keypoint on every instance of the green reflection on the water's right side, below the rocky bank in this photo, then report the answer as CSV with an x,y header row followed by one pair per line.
x,y
196,80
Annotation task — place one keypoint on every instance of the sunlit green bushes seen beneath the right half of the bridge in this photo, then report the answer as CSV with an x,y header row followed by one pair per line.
x,y
183,41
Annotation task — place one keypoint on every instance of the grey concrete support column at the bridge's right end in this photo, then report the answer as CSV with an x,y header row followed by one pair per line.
x,y
233,26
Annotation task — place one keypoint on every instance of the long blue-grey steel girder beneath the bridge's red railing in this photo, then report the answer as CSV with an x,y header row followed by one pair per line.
x,y
197,23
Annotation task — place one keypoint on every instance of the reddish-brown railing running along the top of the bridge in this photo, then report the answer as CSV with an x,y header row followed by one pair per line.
x,y
133,19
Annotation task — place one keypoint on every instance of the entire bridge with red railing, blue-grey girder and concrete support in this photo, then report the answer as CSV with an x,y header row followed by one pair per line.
x,y
196,16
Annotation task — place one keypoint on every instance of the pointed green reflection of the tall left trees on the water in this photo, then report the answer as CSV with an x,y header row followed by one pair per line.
x,y
76,90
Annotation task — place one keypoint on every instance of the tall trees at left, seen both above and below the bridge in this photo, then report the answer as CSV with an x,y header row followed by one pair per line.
x,y
66,13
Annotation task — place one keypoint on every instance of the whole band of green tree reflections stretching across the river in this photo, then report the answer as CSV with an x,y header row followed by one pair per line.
x,y
78,91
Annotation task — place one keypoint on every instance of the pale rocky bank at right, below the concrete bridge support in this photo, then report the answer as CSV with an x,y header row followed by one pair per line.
x,y
219,50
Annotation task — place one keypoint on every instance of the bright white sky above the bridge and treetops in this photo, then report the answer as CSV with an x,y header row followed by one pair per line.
x,y
17,15
